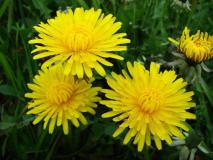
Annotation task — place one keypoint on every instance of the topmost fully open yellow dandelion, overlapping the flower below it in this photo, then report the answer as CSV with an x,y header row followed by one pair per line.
x,y
81,39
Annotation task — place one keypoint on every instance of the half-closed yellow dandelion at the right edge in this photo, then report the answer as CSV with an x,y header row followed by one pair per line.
x,y
197,47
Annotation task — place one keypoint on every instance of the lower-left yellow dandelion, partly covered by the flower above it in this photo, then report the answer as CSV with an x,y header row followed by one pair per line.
x,y
58,98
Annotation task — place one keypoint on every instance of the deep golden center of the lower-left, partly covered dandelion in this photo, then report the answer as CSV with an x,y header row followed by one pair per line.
x,y
60,93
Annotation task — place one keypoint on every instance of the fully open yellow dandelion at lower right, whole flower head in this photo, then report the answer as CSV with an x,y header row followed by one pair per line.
x,y
149,104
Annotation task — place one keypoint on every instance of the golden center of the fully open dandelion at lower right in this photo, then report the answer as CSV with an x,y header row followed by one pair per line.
x,y
150,101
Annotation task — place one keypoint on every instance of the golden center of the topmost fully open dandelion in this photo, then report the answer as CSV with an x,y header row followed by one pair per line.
x,y
78,39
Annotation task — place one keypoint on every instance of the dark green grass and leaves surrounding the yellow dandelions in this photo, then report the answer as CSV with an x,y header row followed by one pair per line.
x,y
148,24
